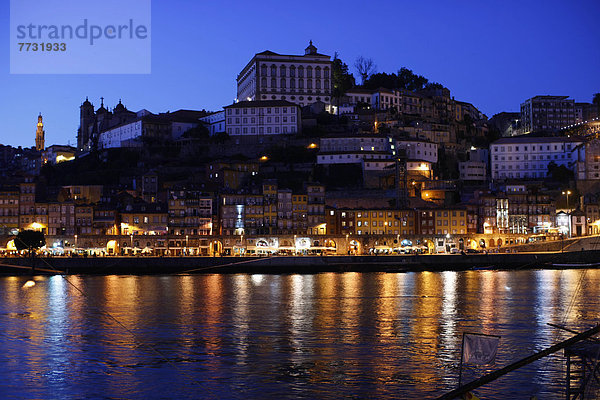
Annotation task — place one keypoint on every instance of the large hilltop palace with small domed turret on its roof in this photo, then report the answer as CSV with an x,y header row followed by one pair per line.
x,y
301,79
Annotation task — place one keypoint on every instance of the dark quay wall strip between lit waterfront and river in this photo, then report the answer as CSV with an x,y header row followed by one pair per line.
x,y
297,264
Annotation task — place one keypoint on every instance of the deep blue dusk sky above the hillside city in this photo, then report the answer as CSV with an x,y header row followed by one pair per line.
x,y
491,54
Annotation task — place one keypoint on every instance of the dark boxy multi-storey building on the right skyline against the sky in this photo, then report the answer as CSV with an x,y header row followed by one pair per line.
x,y
547,113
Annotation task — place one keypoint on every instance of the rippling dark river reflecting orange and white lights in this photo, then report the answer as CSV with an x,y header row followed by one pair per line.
x,y
323,336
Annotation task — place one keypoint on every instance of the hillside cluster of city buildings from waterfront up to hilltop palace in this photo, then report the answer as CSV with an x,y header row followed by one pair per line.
x,y
397,141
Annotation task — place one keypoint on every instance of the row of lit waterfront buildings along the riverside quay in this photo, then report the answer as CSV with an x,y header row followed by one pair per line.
x,y
272,209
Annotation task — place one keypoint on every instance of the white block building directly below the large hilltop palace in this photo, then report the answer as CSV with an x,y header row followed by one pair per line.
x,y
269,117
